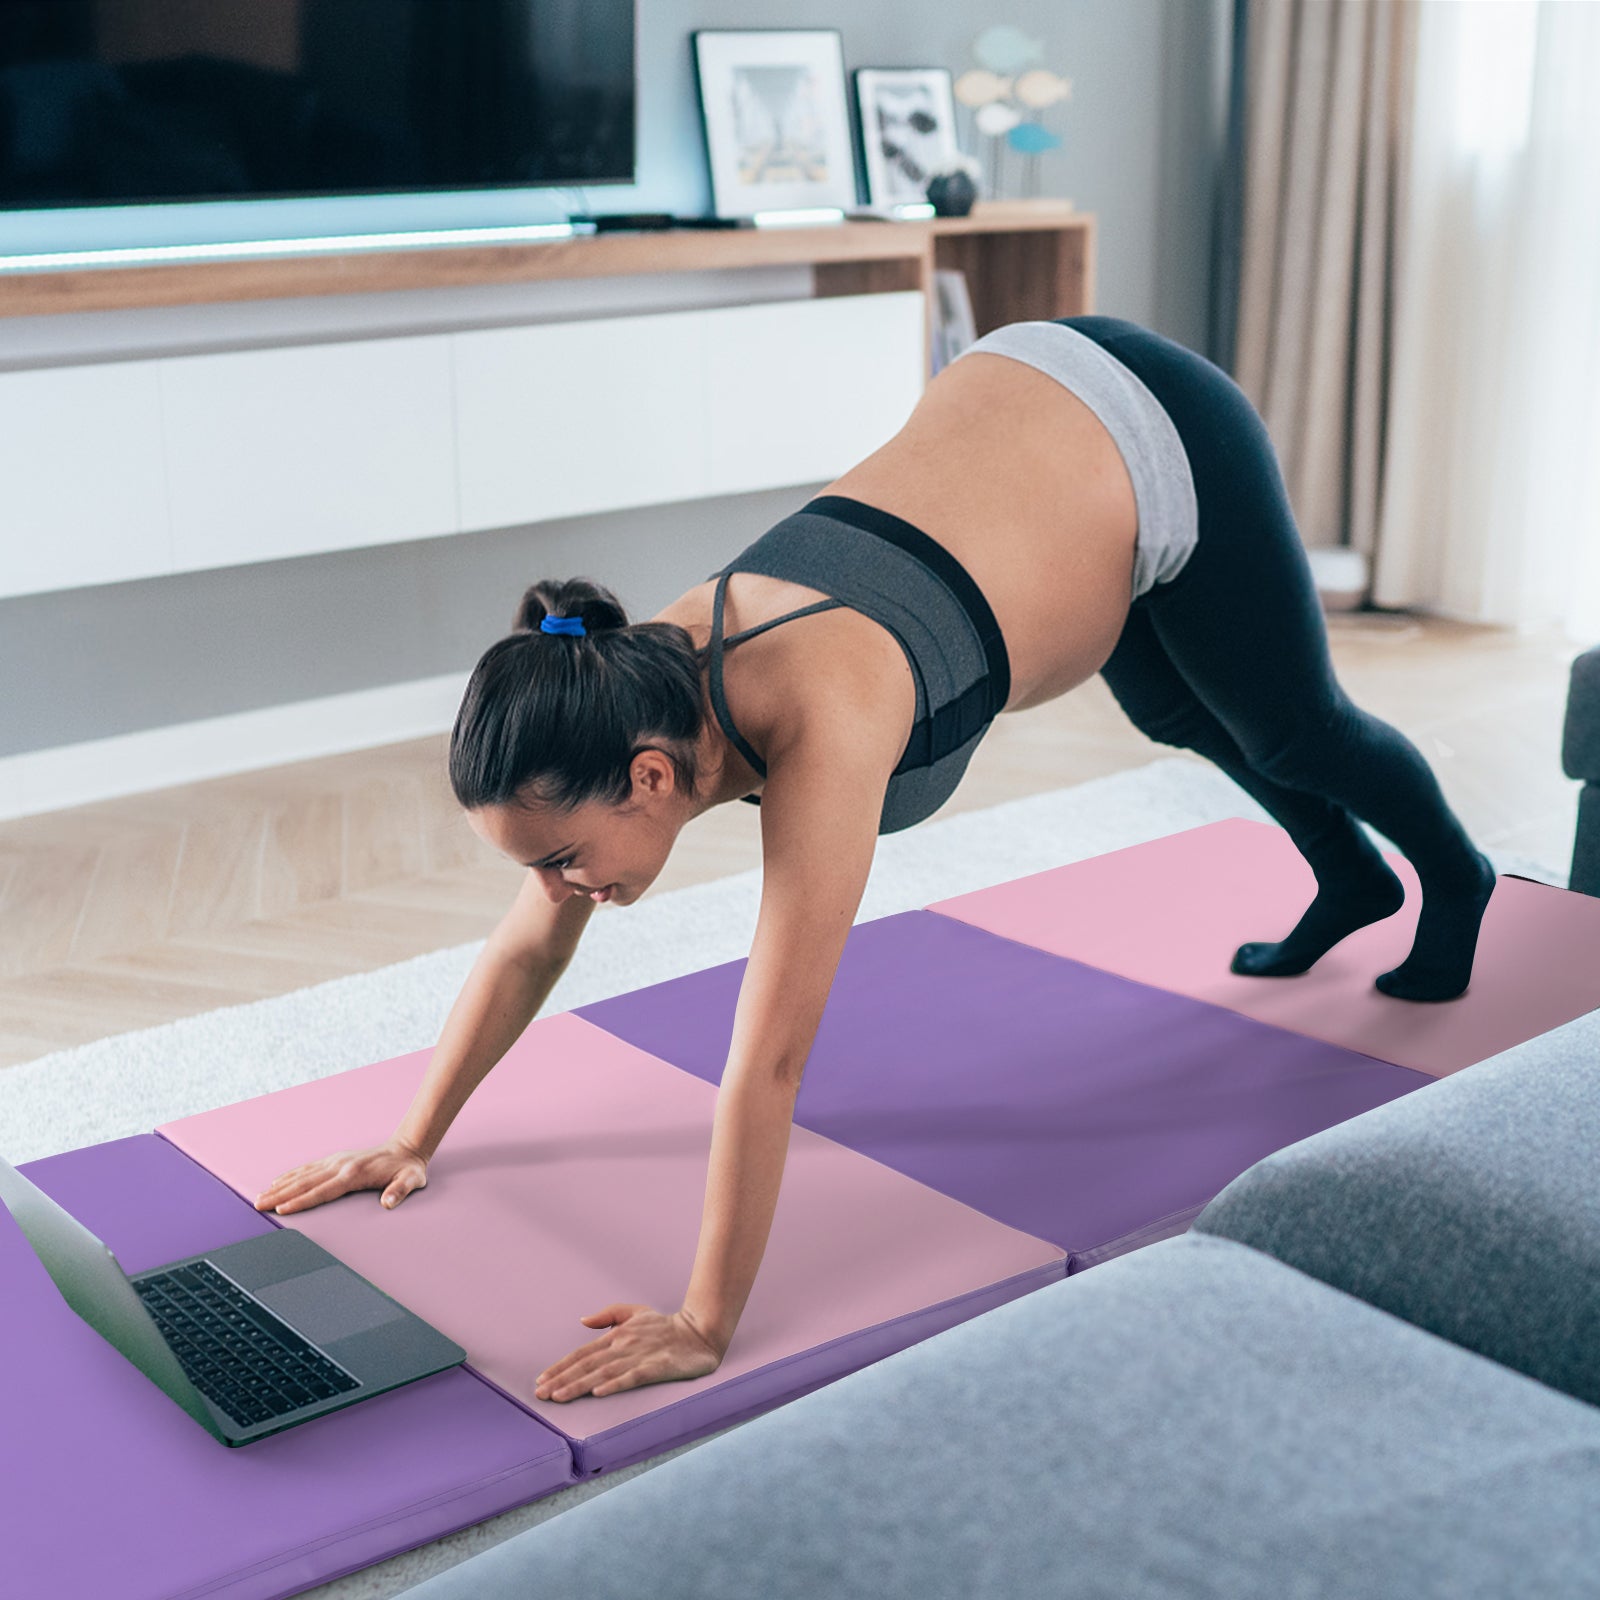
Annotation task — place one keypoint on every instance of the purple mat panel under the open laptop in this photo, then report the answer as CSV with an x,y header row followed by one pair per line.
x,y
111,1490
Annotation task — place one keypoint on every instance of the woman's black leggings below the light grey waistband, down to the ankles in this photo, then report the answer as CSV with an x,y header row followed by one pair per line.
x,y
1231,658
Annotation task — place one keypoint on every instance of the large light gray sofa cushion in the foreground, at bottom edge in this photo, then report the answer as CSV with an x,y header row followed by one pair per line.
x,y
1193,1420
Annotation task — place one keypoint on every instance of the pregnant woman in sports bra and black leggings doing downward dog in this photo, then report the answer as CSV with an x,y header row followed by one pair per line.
x,y
1068,498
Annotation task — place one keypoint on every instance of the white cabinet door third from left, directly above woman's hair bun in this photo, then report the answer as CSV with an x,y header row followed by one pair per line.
x,y
580,417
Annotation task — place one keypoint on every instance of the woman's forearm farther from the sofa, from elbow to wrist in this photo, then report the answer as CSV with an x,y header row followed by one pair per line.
x,y
498,1001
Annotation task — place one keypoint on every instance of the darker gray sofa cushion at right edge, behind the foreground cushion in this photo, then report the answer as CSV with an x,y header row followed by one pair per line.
x,y
1470,1209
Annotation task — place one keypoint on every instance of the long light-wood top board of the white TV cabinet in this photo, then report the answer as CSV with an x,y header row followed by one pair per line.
x,y
452,266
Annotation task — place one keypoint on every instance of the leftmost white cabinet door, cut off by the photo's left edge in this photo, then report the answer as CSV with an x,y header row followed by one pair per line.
x,y
82,486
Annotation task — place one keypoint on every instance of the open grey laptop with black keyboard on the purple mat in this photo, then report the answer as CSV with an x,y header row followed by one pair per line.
x,y
249,1338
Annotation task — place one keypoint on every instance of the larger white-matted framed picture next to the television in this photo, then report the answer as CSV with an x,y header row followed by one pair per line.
x,y
777,119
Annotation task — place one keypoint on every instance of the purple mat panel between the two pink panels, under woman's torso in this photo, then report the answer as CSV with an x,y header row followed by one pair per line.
x,y
1073,1105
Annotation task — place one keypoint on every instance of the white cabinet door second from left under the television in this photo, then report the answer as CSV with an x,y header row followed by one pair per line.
x,y
327,447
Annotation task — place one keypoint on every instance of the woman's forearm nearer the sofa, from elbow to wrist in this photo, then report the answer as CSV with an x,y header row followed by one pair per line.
x,y
750,1146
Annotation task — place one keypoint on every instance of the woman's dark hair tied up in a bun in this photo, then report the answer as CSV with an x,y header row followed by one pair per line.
x,y
564,716
